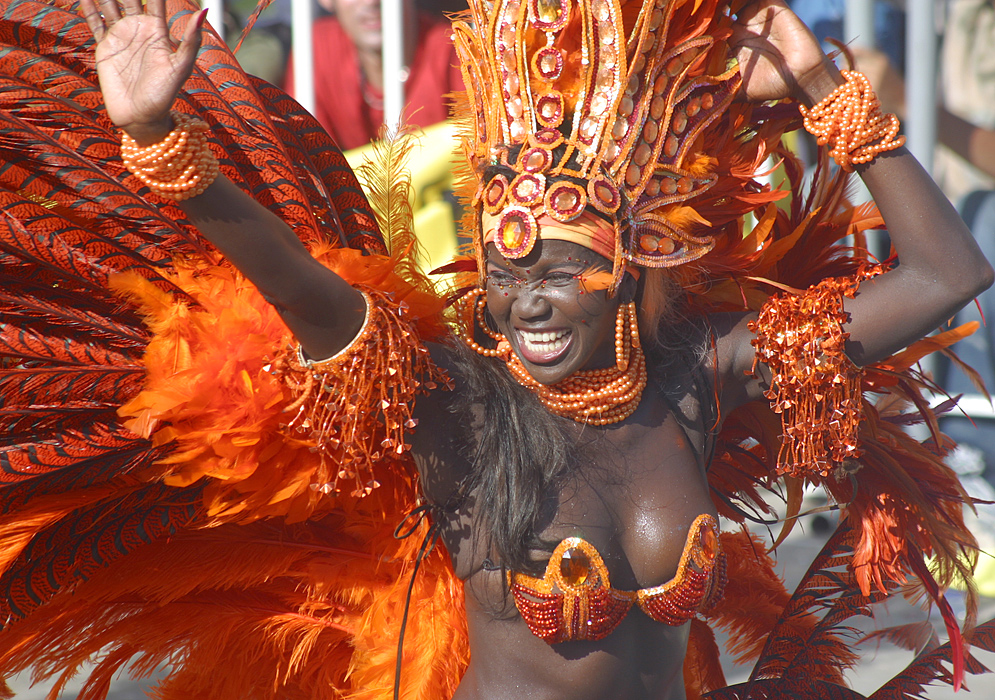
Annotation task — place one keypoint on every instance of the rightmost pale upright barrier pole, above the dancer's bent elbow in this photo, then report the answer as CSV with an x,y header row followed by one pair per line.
x,y
920,83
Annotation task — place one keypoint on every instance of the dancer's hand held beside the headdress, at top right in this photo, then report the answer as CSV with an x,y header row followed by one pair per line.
x,y
779,57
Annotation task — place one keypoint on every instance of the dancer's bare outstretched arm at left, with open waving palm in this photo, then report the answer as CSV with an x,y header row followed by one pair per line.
x,y
141,72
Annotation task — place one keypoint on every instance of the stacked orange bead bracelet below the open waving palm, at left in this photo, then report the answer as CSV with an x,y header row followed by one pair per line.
x,y
180,166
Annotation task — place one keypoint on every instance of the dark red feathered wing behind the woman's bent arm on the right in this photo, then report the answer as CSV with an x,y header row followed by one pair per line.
x,y
901,523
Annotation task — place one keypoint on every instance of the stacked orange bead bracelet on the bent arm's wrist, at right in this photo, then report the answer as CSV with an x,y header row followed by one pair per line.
x,y
851,122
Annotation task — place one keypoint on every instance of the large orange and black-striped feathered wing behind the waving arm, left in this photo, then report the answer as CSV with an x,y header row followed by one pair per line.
x,y
153,510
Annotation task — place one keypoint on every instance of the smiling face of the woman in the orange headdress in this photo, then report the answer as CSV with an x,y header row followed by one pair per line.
x,y
537,302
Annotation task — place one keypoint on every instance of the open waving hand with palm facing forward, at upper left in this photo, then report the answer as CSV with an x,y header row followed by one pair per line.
x,y
140,69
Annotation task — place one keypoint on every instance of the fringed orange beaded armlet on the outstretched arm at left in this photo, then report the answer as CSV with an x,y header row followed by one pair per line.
x,y
356,405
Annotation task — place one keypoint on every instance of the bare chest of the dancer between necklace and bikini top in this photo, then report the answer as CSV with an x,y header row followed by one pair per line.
x,y
633,495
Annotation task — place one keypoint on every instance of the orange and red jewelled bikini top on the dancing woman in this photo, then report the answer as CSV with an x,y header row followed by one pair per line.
x,y
575,600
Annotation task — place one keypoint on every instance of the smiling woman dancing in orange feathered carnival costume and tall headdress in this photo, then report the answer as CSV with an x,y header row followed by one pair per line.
x,y
186,479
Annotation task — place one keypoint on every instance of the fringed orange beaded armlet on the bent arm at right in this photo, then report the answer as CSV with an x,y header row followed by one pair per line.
x,y
816,388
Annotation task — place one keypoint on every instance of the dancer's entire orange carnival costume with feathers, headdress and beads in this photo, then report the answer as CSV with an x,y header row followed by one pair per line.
x,y
178,485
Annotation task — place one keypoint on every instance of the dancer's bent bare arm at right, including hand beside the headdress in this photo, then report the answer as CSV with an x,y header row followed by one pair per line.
x,y
940,266
